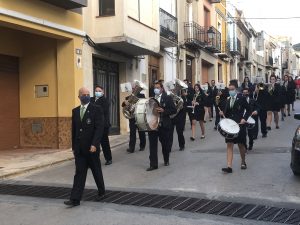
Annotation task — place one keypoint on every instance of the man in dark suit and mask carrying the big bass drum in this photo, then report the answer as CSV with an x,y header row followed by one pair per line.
x,y
166,109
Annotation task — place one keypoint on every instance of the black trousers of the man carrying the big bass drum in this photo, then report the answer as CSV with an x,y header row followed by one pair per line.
x,y
163,135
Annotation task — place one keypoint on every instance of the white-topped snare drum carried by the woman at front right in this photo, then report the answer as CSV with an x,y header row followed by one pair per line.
x,y
228,128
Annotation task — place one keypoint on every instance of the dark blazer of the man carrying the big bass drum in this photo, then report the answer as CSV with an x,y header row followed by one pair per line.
x,y
166,102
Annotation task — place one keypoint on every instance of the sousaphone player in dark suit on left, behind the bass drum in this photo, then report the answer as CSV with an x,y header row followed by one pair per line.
x,y
133,128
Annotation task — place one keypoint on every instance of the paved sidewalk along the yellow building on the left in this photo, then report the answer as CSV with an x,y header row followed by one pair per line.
x,y
17,161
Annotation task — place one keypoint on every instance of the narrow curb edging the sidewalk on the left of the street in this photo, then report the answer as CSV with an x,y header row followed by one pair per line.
x,y
13,174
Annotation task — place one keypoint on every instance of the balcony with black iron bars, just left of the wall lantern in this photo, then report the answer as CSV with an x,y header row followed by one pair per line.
x,y
194,35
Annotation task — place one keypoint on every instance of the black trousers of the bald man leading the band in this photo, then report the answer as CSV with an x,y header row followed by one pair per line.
x,y
82,163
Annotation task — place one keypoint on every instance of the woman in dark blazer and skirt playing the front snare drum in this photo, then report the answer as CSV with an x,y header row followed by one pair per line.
x,y
237,109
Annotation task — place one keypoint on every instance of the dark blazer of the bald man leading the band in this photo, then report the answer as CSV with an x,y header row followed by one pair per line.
x,y
88,131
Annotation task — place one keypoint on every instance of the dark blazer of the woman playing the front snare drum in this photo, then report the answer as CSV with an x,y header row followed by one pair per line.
x,y
240,109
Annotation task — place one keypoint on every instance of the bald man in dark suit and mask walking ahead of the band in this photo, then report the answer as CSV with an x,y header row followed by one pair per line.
x,y
87,129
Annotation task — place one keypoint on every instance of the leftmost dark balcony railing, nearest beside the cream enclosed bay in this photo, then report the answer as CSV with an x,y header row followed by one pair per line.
x,y
168,26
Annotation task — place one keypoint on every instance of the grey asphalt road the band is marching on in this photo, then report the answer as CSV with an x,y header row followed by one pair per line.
x,y
194,172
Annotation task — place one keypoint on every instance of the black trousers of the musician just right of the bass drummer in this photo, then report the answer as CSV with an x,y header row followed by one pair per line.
x,y
179,123
